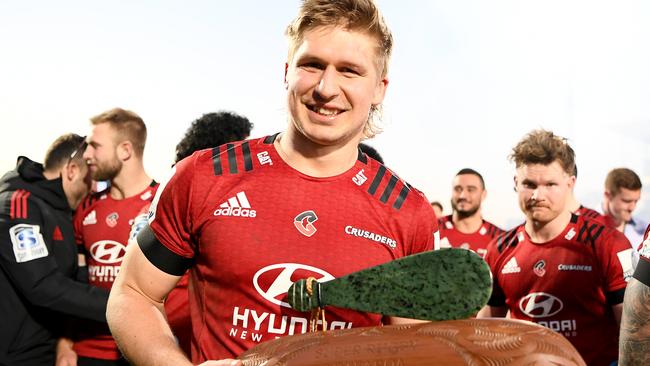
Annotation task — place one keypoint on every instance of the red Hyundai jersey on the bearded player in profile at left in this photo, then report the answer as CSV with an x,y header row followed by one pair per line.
x,y
102,226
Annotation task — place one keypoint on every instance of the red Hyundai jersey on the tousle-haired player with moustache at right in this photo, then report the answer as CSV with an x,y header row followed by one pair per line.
x,y
568,284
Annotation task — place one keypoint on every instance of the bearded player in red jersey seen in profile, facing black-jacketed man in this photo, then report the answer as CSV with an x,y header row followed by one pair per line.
x,y
103,221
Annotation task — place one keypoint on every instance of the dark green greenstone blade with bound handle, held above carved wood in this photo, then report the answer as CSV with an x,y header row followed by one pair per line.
x,y
444,284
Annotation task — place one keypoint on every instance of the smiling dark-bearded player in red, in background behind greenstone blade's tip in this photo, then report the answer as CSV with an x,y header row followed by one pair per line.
x,y
465,227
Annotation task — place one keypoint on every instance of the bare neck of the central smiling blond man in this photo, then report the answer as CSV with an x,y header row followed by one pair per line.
x,y
315,160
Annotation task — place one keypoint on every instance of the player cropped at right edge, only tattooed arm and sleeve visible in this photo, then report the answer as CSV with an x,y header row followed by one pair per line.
x,y
635,326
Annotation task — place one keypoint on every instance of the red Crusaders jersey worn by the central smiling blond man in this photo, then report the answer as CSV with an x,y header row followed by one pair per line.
x,y
252,225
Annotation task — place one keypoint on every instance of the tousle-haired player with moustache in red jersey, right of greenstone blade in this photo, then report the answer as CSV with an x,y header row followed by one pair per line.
x,y
558,269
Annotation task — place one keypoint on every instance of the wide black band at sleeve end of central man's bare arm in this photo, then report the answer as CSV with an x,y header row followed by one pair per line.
x,y
161,257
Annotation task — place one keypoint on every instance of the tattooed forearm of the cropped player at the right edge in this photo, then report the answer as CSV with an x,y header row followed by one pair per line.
x,y
635,327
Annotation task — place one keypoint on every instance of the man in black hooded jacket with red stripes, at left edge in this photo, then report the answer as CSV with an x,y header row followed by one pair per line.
x,y
41,282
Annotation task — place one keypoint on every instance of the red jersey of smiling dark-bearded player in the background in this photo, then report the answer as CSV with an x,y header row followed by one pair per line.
x,y
477,241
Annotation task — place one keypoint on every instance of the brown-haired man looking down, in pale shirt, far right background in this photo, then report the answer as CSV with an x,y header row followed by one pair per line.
x,y
622,193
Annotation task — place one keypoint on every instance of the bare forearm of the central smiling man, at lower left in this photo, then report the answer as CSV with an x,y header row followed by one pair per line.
x,y
141,330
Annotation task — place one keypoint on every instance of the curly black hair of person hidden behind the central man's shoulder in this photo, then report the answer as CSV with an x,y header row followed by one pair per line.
x,y
212,130
